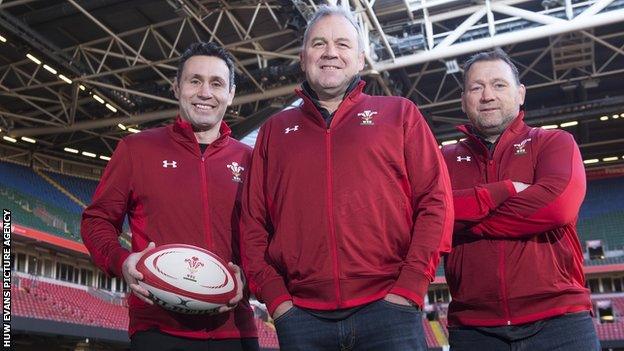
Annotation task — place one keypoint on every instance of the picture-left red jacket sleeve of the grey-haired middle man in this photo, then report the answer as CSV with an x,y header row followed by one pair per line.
x,y
264,280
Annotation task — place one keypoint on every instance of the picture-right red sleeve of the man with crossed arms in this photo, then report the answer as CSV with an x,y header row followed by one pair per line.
x,y
552,201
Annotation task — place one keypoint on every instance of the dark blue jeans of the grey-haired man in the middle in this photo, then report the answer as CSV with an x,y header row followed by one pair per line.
x,y
379,326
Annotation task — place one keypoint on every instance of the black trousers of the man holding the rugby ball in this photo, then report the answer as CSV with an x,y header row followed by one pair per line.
x,y
155,340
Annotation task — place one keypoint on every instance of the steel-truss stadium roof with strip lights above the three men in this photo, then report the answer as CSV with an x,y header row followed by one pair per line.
x,y
97,70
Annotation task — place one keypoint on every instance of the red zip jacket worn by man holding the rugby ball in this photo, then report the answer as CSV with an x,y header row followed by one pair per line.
x,y
172,194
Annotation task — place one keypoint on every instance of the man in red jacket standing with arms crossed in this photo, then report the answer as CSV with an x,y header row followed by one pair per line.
x,y
516,269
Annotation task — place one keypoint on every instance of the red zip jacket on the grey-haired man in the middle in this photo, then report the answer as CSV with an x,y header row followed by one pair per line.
x,y
339,216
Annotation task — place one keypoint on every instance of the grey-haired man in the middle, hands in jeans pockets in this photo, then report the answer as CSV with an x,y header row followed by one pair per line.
x,y
347,207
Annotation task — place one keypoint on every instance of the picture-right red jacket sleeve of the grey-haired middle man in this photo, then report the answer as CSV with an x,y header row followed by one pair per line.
x,y
432,205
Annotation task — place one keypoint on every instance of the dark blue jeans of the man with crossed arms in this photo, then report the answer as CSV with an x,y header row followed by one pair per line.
x,y
572,332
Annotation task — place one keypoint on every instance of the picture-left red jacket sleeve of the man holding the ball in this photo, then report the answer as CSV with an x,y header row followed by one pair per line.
x,y
102,221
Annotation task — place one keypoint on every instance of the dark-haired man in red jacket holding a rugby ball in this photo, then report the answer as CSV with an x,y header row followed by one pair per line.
x,y
178,184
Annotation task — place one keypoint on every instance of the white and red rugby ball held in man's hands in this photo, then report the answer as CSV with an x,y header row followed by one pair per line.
x,y
187,279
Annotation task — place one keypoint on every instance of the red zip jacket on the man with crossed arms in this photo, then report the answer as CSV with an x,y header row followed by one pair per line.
x,y
516,257
